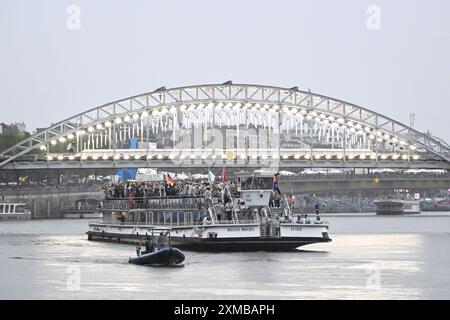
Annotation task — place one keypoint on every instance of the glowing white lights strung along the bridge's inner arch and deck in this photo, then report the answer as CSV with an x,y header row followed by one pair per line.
x,y
349,134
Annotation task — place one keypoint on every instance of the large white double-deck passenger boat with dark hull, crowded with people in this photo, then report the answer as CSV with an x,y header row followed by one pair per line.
x,y
253,224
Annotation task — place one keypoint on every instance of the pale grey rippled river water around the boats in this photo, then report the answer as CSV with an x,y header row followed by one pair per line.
x,y
370,257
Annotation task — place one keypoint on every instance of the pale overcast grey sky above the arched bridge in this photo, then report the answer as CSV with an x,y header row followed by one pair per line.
x,y
49,72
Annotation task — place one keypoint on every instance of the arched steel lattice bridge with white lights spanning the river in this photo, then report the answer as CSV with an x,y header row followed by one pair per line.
x,y
234,125
